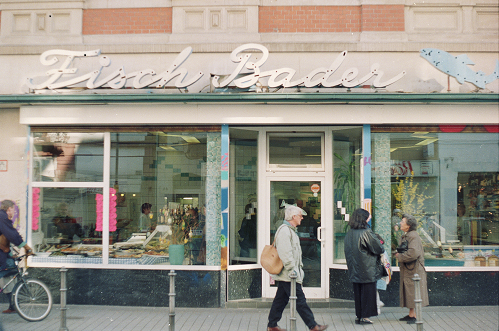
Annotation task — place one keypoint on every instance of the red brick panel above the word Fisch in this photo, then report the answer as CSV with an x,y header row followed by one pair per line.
x,y
127,21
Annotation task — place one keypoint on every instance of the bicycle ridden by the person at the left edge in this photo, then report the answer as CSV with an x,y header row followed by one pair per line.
x,y
32,298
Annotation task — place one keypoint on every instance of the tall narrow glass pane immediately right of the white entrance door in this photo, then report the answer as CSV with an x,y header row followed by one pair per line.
x,y
347,153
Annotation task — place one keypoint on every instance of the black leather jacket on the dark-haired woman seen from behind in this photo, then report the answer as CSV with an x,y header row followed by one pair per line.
x,y
362,252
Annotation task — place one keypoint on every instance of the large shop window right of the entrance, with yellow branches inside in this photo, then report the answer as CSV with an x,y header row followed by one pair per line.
x,y
450,183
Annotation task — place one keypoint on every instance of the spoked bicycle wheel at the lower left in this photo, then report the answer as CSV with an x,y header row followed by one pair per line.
x,y
33,300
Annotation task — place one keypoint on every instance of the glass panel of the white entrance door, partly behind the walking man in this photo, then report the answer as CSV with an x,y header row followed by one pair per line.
x,y
300,193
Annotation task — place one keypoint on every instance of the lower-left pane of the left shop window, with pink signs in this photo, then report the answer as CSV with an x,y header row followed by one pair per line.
x,y
65,224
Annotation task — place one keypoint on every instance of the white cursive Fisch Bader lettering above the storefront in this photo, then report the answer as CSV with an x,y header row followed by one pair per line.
x,y
66,75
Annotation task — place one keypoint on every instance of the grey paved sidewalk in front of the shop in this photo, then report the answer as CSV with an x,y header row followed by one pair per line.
x,y
480,318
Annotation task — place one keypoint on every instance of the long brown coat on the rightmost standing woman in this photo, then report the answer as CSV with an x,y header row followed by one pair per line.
x,y
414,257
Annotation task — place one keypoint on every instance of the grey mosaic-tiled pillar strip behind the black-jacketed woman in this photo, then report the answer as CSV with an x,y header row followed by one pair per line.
x,y
382,187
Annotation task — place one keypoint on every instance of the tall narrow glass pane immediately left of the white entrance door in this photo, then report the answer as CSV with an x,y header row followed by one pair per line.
x,y
243,185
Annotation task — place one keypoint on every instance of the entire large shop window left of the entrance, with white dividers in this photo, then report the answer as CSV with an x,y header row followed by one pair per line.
x,y
163,187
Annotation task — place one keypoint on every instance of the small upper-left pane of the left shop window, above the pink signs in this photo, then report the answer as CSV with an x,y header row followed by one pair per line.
x,y
68,157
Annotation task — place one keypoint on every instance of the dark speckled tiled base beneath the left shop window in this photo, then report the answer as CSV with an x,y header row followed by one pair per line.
x,y
133,287
